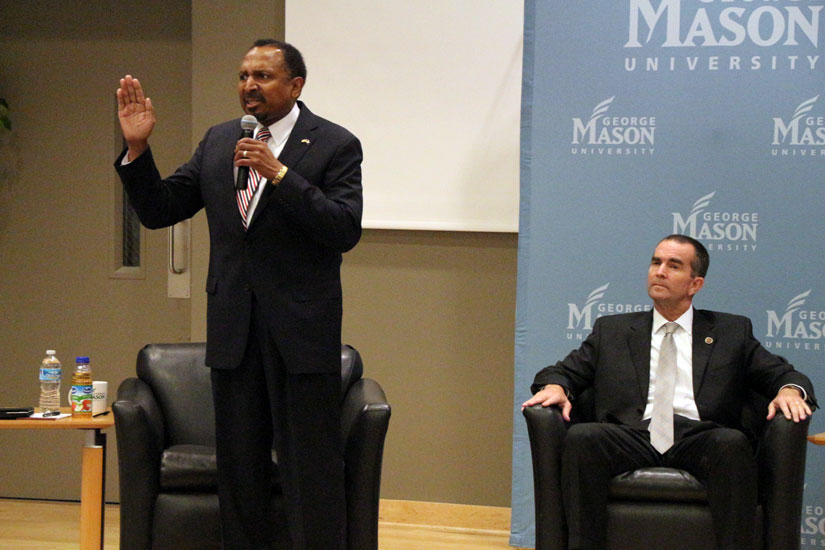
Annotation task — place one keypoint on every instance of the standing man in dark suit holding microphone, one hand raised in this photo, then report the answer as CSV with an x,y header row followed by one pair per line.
x,y
274,290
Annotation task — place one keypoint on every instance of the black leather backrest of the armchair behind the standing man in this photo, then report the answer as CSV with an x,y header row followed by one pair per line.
x,y
182,386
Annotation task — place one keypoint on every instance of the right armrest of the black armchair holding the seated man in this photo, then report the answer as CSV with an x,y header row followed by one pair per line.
x,y
781,461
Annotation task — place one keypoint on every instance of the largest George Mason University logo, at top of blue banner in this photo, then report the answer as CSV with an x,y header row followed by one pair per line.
x,y
676,35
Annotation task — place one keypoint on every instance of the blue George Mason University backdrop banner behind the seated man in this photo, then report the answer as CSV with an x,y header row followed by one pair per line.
x,y
642,118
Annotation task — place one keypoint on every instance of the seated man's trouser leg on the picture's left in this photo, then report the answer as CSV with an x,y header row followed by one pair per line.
x,y
593,454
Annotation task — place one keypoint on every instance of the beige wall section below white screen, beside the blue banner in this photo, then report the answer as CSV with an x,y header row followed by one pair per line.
x,y
433,315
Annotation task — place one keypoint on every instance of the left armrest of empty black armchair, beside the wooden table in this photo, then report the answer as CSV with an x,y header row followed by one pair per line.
x,y
139,427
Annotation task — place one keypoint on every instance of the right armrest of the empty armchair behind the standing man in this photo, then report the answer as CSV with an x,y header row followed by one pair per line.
x,y
365,417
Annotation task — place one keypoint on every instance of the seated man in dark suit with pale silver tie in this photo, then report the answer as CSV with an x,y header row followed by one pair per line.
x,y
711,360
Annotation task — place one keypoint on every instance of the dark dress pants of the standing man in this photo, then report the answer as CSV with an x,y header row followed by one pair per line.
x,y
259,407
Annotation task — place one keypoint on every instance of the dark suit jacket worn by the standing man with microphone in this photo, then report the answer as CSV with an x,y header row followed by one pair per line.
x,y
289,259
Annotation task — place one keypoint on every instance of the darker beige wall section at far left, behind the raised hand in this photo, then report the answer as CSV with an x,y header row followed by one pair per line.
x,y
59,67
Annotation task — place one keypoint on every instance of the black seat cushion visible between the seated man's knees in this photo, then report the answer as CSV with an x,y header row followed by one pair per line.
x,y
657,484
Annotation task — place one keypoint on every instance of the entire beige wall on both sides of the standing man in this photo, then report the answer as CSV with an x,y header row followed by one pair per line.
x,y
431,313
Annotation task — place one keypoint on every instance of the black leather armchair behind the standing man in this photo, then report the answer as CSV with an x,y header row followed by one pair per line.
x,y
166,457
